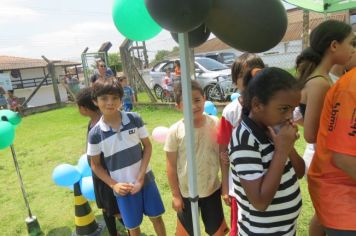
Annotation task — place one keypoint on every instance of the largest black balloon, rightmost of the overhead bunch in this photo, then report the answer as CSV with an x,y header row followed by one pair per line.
x,y
248,25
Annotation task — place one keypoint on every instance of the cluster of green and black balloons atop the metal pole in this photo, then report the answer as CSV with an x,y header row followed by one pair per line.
x,y
247,25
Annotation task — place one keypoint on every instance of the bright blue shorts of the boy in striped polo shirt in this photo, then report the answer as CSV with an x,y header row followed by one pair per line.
x,y
148,201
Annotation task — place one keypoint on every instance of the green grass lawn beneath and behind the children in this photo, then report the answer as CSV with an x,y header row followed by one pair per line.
x,y
48,139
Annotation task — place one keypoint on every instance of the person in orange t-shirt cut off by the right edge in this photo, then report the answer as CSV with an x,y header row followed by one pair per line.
x,y
332,174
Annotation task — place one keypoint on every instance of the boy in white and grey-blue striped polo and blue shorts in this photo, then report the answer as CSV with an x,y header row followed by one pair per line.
x,y
120,136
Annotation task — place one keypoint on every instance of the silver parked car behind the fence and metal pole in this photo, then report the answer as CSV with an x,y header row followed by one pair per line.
x,y
213,76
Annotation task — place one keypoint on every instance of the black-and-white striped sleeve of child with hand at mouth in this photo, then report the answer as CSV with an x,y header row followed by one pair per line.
x,y
245,155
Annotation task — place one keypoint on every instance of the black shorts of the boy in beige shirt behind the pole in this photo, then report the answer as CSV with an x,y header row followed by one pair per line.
x,y
211,211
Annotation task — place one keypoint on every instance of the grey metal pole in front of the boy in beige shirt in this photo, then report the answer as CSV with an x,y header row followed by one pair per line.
x,y
189,129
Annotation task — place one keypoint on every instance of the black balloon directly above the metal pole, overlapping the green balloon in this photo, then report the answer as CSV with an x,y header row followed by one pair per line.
x,y
179,15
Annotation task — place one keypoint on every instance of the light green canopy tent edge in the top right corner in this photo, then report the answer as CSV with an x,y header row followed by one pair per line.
x,y
324,6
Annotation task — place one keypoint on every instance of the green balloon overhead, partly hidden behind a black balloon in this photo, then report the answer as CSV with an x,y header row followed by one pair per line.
x,y
132,20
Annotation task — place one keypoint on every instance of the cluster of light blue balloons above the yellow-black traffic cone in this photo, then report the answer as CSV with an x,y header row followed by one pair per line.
x,y
67,175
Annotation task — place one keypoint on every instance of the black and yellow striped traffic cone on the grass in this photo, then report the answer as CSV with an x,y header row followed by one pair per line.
x,y
85,223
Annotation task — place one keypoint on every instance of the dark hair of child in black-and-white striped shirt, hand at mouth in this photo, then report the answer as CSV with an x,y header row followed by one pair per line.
x,y
266,84
